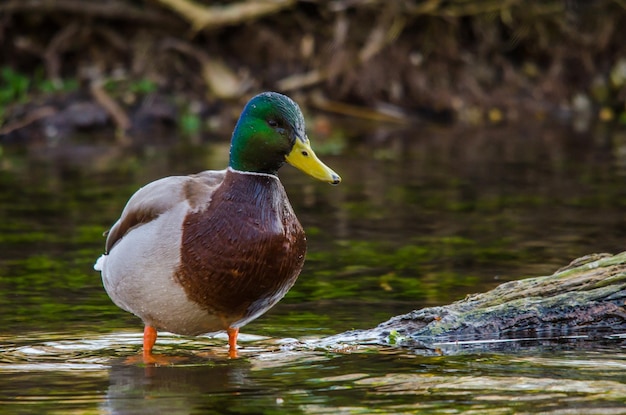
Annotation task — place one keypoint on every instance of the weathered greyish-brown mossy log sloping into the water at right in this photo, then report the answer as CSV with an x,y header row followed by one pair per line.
x,y
586,297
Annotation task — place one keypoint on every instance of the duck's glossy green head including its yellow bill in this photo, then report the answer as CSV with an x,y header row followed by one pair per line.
x,y
270,132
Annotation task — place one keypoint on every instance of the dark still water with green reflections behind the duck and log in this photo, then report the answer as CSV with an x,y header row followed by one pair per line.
x,y
424,227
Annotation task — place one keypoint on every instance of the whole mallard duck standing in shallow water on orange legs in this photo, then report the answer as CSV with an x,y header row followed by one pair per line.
x,y
213,251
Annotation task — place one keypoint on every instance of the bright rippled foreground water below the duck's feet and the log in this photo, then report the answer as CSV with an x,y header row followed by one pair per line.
x,y
58,373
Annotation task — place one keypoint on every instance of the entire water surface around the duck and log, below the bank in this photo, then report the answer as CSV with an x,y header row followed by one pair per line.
x,y
422,218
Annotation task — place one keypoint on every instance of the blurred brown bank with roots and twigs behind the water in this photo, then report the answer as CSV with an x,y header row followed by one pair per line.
x,y
132,65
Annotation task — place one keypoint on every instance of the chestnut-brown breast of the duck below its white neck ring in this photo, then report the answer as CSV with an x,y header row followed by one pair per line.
x,y
242,253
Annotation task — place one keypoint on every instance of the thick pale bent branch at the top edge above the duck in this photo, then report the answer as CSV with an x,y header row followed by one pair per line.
x,y
209,17
